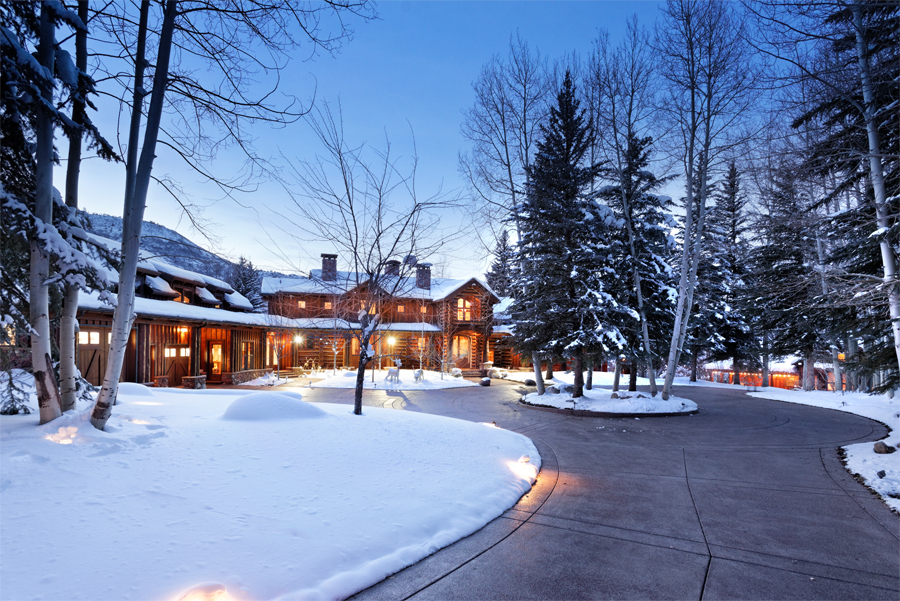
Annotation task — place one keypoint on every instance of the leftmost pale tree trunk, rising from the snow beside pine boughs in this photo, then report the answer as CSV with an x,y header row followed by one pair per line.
x,y
44,380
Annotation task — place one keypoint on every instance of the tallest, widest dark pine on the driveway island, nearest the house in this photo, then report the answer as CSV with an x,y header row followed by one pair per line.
x,y
567,247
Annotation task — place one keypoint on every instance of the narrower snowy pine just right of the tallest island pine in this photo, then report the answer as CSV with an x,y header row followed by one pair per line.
x,y
646,248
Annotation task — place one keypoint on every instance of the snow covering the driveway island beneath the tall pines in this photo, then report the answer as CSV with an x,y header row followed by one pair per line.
x,y
599,400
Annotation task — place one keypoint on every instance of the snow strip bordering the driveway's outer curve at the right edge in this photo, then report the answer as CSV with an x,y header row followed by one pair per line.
x,y
861,458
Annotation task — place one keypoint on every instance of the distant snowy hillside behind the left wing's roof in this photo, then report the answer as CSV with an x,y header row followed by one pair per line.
x,y
168,245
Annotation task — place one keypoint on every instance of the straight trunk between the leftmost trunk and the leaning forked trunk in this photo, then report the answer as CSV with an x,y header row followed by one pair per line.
x,y
68,322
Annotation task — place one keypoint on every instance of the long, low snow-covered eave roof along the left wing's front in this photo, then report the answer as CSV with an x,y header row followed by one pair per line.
x,y
148,307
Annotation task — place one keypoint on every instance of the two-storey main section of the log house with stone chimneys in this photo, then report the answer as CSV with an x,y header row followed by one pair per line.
x,y
424,321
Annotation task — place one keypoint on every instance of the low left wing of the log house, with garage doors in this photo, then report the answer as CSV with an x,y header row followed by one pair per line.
x,y
189,330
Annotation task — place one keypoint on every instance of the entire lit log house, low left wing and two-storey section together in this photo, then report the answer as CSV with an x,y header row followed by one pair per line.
x,y
192,330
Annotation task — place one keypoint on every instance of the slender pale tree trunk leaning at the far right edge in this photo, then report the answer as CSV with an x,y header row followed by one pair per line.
x,y
876,171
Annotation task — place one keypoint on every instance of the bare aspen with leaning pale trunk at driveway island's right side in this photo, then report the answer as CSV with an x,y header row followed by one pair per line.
x,y
706,61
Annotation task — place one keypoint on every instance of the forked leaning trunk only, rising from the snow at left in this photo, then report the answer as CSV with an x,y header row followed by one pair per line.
x,y
137,183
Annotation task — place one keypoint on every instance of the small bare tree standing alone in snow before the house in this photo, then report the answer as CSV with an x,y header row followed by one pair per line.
x,y
368,209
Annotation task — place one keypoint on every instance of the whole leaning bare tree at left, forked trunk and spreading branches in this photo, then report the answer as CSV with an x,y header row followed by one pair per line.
x,y
234,41
